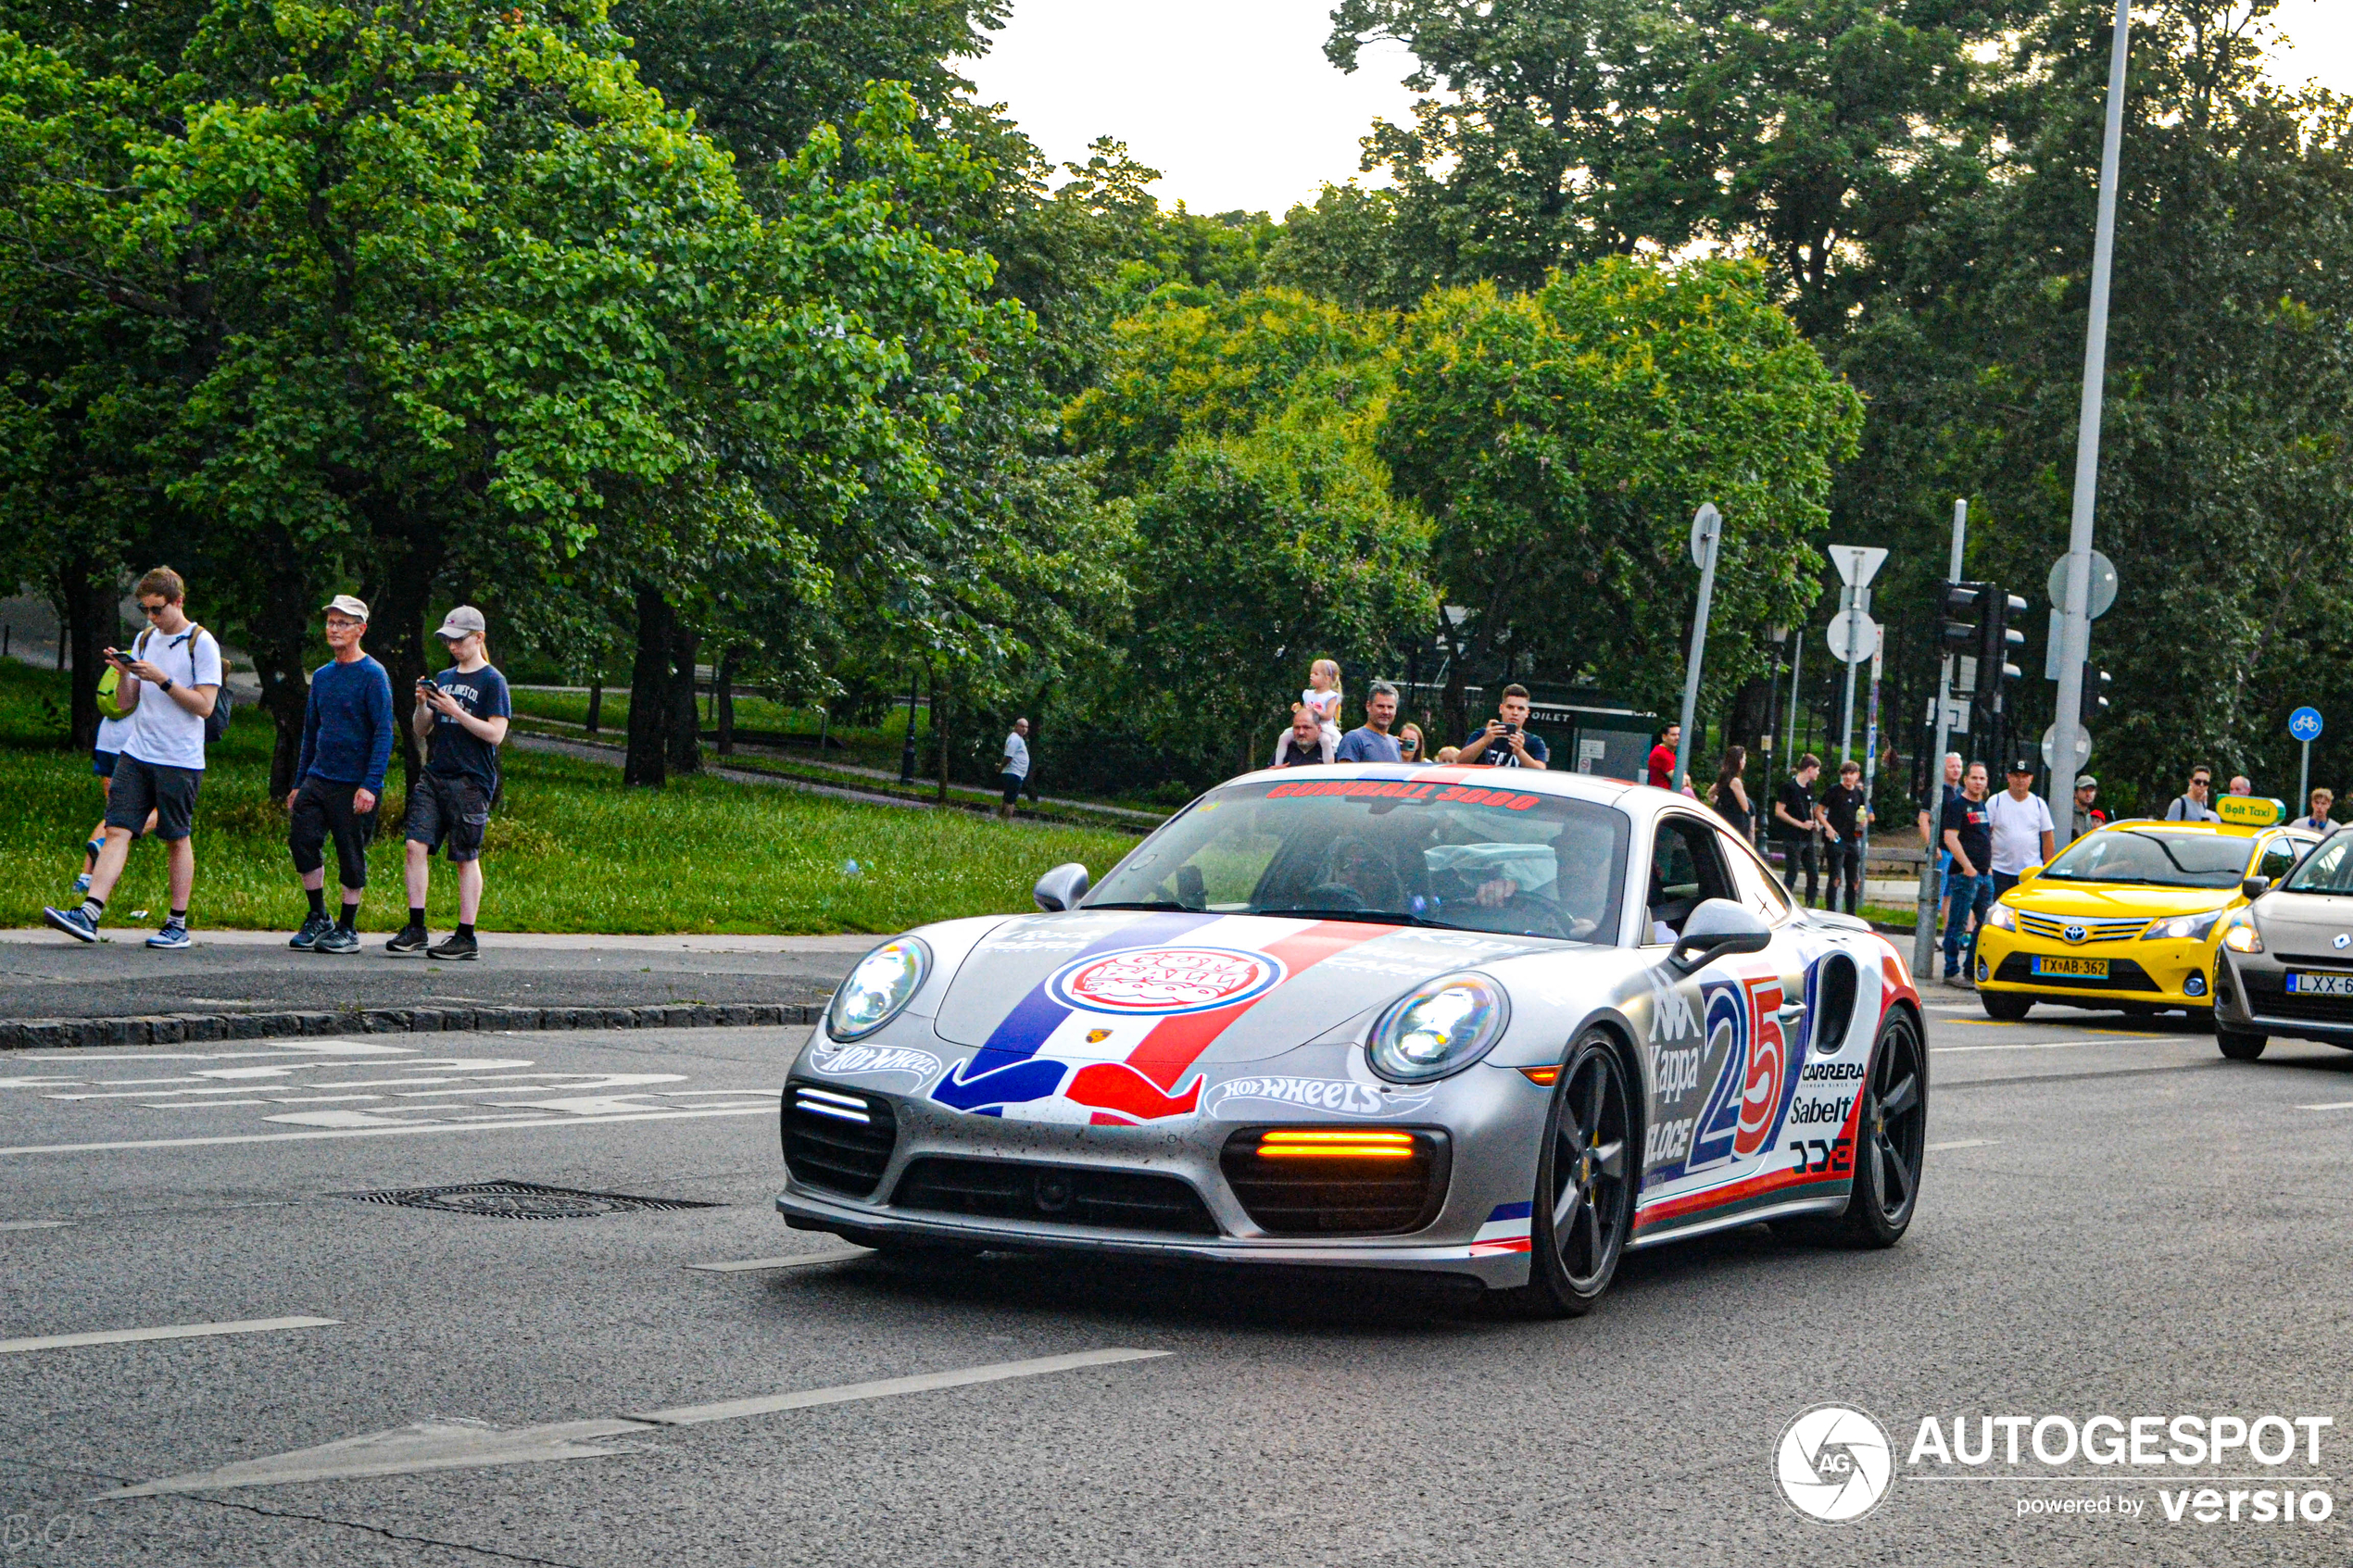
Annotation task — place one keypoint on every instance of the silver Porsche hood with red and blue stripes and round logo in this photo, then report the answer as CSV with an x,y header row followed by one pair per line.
x,y
1142,986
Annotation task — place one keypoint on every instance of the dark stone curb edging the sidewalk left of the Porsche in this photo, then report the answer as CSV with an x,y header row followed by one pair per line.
x,y
192,1028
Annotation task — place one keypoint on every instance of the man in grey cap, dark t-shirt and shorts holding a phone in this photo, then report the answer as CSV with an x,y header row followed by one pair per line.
x,y
462,718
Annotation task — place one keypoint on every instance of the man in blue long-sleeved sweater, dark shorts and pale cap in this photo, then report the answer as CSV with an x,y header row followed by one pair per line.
x,y
347,739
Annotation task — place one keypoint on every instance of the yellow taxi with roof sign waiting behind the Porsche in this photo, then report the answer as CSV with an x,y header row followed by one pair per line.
x,y
2128,916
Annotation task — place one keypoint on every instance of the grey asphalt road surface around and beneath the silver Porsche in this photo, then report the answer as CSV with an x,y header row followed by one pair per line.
x,y
2117,1224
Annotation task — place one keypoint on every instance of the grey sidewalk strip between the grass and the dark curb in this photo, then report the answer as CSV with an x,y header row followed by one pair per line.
x,y
46,974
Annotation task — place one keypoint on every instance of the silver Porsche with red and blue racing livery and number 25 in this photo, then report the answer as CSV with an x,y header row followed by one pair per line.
x,y
1493,1024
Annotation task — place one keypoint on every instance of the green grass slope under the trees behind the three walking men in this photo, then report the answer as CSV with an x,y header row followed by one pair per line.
x,y
571,847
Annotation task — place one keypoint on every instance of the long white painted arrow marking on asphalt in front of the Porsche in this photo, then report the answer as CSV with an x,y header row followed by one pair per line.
x,y
458,1445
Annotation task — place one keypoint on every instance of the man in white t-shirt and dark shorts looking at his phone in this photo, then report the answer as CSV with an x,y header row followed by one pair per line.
x,y
171,683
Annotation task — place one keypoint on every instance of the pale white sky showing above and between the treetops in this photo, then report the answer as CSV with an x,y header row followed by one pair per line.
x,y
1239,107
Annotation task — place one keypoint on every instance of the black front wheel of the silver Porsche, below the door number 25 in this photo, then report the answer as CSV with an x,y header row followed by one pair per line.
x,y
1585,1184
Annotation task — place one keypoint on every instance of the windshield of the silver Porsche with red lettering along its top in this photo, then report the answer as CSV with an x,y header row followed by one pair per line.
x,y
1397,852
